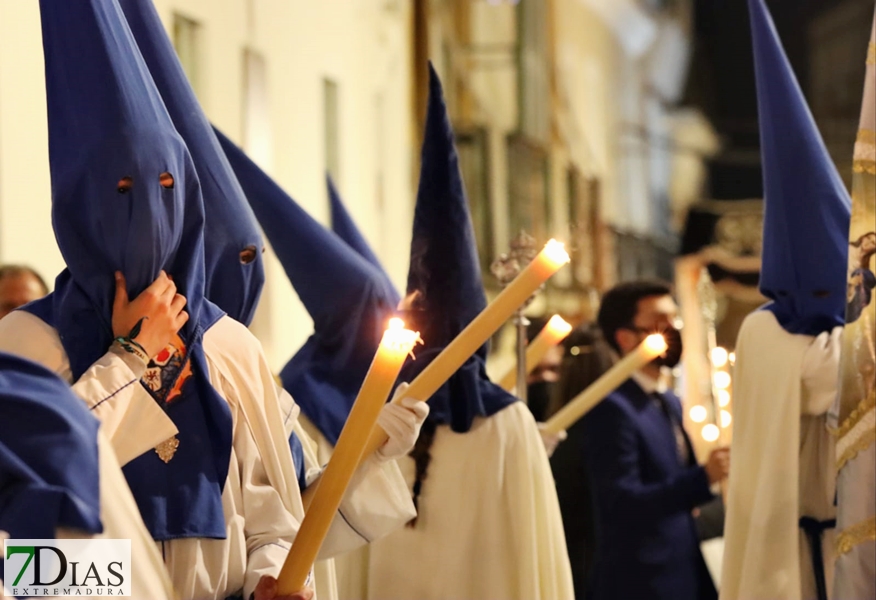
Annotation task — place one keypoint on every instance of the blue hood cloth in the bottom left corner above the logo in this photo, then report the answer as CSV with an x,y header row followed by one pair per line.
x,y
45,428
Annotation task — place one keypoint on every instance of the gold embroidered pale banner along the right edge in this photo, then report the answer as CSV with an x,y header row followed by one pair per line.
x,y
855,411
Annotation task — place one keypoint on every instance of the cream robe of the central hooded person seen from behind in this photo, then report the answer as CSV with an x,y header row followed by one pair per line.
x,y
489,525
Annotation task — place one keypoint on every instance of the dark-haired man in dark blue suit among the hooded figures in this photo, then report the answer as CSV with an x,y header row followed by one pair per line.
x,y
644,475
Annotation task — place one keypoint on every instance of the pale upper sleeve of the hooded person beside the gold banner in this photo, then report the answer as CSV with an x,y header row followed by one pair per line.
x,y
820,372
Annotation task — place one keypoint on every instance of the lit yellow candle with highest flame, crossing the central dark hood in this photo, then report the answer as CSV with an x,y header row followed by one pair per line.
x,y
546,263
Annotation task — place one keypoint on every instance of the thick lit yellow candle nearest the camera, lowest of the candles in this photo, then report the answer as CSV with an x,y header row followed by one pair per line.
x,y
396,345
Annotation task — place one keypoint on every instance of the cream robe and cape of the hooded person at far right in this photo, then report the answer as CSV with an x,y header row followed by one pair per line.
x,y
782,468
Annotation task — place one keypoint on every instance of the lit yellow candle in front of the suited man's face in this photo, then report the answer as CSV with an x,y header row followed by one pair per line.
x,y
653,346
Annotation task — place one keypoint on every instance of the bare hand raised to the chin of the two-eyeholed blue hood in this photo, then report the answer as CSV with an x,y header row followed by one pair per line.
x,y
158,310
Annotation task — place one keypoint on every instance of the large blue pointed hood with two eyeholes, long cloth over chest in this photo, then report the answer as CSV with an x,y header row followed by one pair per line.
x,y
125,197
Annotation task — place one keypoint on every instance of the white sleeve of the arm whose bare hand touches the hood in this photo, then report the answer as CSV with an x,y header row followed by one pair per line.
x,y
130,417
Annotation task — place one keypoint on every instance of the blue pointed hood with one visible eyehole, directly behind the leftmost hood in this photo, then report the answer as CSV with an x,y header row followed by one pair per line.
x,y
234,266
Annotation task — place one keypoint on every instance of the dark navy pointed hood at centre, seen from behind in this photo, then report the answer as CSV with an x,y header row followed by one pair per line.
x,y
446,274
